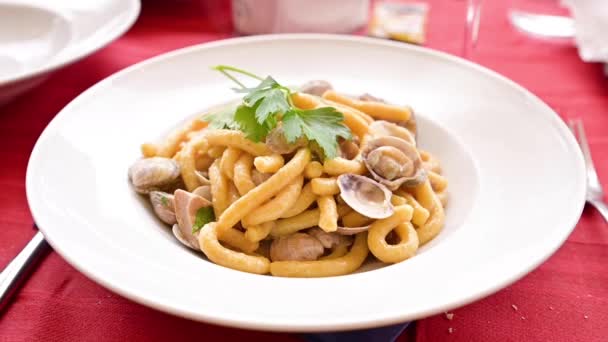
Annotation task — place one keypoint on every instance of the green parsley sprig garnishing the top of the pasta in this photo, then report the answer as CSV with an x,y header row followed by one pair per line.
x,y
269,103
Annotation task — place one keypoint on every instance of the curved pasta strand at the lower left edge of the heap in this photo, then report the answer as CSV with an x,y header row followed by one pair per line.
x,y
221,255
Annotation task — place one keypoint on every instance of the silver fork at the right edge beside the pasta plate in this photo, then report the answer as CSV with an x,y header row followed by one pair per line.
x,y
595,193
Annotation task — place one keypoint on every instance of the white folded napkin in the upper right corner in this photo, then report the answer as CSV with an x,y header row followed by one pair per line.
x,y
591,25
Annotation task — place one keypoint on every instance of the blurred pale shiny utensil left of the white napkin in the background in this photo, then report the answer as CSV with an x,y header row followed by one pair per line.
x,y
543,26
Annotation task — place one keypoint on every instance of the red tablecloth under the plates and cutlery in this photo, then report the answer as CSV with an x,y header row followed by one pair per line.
x,y
564,299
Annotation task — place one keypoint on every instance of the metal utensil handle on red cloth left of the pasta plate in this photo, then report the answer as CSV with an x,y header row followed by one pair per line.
x,y
16,270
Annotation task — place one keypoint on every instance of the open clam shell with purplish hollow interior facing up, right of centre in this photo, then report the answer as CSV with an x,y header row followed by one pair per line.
x,y
365,196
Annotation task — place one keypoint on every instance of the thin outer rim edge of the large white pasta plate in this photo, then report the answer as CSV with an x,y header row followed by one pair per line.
x,y
238,322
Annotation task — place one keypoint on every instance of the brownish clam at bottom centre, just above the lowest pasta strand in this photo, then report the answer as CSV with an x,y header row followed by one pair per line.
x,y
296,247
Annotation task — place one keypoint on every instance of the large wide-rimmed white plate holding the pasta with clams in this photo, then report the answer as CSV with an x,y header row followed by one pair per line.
x,y
515,172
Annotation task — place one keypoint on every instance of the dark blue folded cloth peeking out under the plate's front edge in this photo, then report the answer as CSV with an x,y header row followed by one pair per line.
x,y
382,334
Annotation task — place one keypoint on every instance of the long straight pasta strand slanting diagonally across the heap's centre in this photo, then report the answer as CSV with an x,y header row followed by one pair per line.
x,y
264,191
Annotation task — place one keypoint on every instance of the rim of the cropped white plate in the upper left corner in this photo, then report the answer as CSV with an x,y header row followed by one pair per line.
x,y
134,10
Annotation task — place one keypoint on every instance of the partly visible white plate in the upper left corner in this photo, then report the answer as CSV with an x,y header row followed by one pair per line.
x,y
39,36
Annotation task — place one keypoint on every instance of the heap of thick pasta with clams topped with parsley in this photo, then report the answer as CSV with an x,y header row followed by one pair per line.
x,y
305,182
